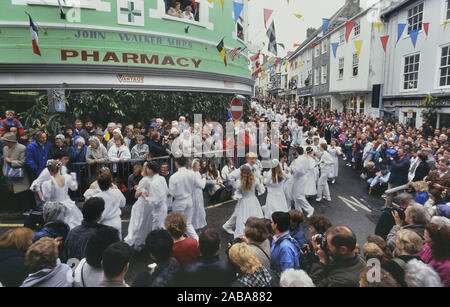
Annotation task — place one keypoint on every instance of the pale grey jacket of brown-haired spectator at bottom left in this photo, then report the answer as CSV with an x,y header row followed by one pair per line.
x,y
59,276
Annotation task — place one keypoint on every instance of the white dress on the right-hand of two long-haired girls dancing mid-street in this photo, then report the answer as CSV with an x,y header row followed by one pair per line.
x,y
275,201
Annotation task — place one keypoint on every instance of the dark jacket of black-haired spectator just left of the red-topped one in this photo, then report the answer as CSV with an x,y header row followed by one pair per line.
x,y
163,276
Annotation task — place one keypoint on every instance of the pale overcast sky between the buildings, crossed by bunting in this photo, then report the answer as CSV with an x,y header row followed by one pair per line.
x,y
289,29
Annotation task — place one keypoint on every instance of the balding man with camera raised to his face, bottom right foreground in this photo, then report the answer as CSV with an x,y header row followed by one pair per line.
x,y
338,264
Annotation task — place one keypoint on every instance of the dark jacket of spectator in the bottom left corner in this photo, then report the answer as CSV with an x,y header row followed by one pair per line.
x,y
12,268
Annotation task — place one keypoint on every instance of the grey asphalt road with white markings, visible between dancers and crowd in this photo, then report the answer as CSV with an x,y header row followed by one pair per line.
x,y
350,206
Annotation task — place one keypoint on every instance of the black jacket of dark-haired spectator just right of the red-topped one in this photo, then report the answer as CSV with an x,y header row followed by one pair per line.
x,y
207,272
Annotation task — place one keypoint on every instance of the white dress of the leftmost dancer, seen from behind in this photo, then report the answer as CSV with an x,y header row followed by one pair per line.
x,y
53,192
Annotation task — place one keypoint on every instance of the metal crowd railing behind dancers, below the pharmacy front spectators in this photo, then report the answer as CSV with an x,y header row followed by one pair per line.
x,y
87,172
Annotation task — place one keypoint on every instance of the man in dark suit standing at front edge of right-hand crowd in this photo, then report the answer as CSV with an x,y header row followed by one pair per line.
x,y
399,172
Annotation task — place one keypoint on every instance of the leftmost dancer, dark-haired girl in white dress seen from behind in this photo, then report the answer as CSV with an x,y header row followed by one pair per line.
x,y
56,190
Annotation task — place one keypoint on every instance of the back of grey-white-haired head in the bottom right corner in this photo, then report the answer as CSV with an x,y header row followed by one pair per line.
x,y
419,274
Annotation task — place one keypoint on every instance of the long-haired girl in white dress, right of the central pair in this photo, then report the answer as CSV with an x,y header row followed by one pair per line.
x,y
275,200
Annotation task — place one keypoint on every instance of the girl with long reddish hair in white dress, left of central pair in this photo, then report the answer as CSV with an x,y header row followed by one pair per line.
x,y
248,204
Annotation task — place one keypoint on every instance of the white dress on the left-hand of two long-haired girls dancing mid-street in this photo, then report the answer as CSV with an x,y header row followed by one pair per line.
x,y
247,206
